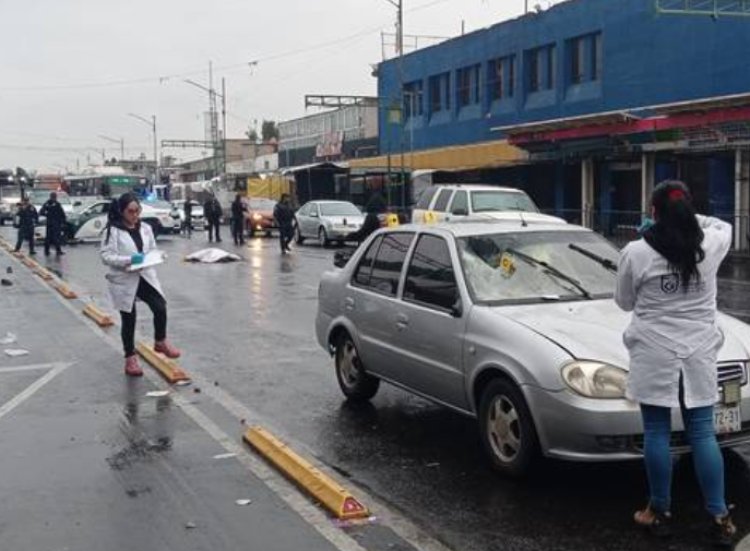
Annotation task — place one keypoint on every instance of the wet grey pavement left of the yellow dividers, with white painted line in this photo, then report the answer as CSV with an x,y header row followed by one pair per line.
x,y
91,462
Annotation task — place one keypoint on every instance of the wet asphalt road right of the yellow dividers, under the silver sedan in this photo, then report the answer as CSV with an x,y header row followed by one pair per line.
x,y
249,327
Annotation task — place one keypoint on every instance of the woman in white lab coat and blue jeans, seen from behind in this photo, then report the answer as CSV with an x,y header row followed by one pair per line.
x,y
668,280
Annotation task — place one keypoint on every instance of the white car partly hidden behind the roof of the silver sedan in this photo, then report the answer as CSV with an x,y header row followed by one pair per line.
x,y
450,202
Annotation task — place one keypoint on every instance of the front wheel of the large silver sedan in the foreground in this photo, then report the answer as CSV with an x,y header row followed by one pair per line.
x,y
507,428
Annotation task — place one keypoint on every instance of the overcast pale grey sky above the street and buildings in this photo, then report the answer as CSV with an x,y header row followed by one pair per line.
x,y
71,70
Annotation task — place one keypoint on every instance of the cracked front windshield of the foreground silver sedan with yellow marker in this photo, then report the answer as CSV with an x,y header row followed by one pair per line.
x,y
507,267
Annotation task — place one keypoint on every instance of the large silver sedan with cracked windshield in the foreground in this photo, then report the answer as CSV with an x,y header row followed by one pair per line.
x,y
513,325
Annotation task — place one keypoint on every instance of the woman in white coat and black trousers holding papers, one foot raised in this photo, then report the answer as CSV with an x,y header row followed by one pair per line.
x,y
126,242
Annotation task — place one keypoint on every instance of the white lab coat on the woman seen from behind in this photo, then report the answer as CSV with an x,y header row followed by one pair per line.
x,y
672,332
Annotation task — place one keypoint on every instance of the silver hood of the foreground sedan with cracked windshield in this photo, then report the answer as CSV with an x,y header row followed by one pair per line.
x,y
592,330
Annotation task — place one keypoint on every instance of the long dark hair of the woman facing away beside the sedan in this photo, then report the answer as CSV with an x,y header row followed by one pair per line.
x,y
676,234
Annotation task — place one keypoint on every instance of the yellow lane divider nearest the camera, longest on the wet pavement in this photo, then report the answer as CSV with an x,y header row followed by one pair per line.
x,y
326,490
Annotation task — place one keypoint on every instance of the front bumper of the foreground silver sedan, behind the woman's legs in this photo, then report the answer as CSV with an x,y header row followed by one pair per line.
x,y
575,428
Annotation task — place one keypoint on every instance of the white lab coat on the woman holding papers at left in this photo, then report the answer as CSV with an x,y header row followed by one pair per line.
x,y
116,253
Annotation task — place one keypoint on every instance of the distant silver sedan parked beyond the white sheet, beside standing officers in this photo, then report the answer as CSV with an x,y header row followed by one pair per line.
x,y
327,221
